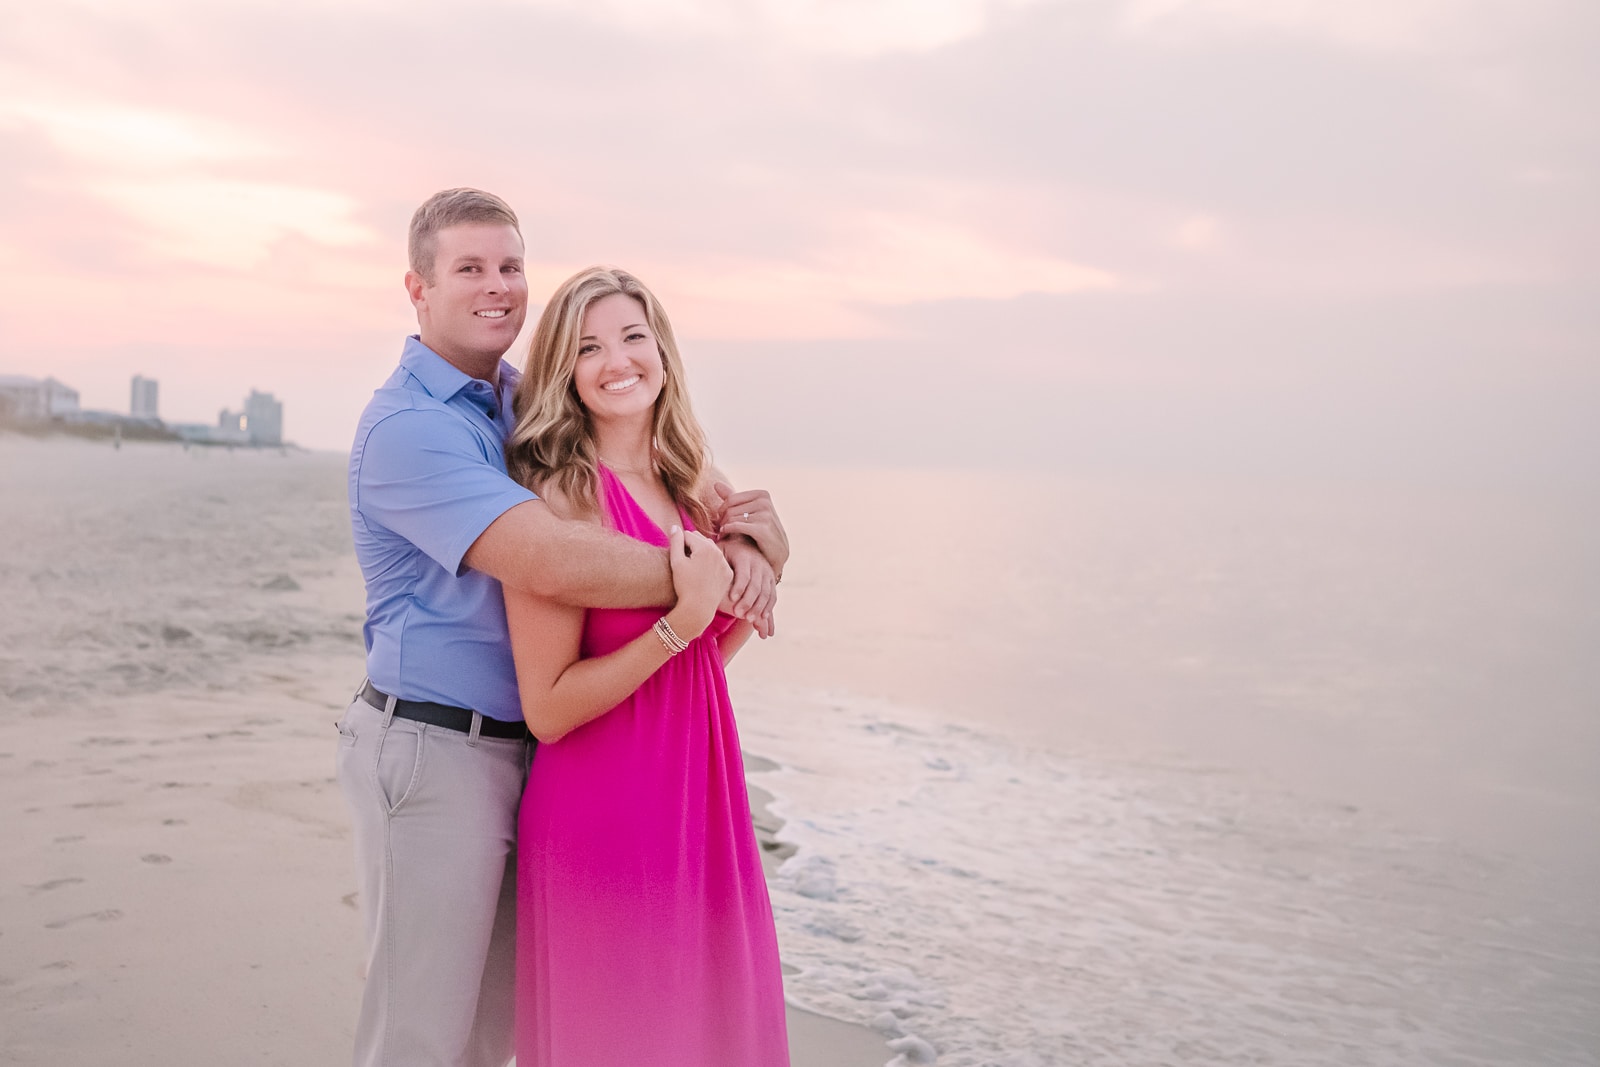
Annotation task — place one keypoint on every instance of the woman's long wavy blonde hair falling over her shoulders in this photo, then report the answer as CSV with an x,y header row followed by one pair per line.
x,y
553,442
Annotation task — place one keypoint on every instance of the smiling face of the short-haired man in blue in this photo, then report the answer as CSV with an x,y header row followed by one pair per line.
x,y
474,306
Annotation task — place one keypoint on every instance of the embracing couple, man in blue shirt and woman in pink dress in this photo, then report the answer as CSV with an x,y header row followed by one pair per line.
x,y
551,821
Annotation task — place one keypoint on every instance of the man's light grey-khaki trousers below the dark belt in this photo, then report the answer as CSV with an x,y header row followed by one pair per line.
x,y
436,850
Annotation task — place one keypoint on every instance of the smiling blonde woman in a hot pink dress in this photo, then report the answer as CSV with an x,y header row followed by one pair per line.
x,y
646,935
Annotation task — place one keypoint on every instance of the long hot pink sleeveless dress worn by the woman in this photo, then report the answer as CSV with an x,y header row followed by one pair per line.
x,y
644,927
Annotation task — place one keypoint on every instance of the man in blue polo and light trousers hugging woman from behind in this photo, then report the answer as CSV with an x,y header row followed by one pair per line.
x,y
434,751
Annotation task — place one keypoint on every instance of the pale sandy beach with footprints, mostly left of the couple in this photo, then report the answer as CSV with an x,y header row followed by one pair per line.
x,y
178,876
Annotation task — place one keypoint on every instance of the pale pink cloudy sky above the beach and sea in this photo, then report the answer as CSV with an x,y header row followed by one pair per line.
x,y
948,230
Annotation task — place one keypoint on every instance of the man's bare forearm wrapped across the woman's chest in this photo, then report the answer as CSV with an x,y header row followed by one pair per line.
x,y
572,562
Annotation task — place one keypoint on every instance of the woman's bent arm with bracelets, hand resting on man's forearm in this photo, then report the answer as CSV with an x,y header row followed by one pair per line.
x,y
562,692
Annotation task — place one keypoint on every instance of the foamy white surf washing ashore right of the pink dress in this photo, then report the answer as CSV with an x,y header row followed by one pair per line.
x,y
994,906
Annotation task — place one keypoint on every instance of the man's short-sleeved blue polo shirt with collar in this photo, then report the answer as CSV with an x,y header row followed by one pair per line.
x,y
428,476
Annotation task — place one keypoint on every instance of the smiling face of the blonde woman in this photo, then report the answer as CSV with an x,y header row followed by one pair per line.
x,y
620,372
